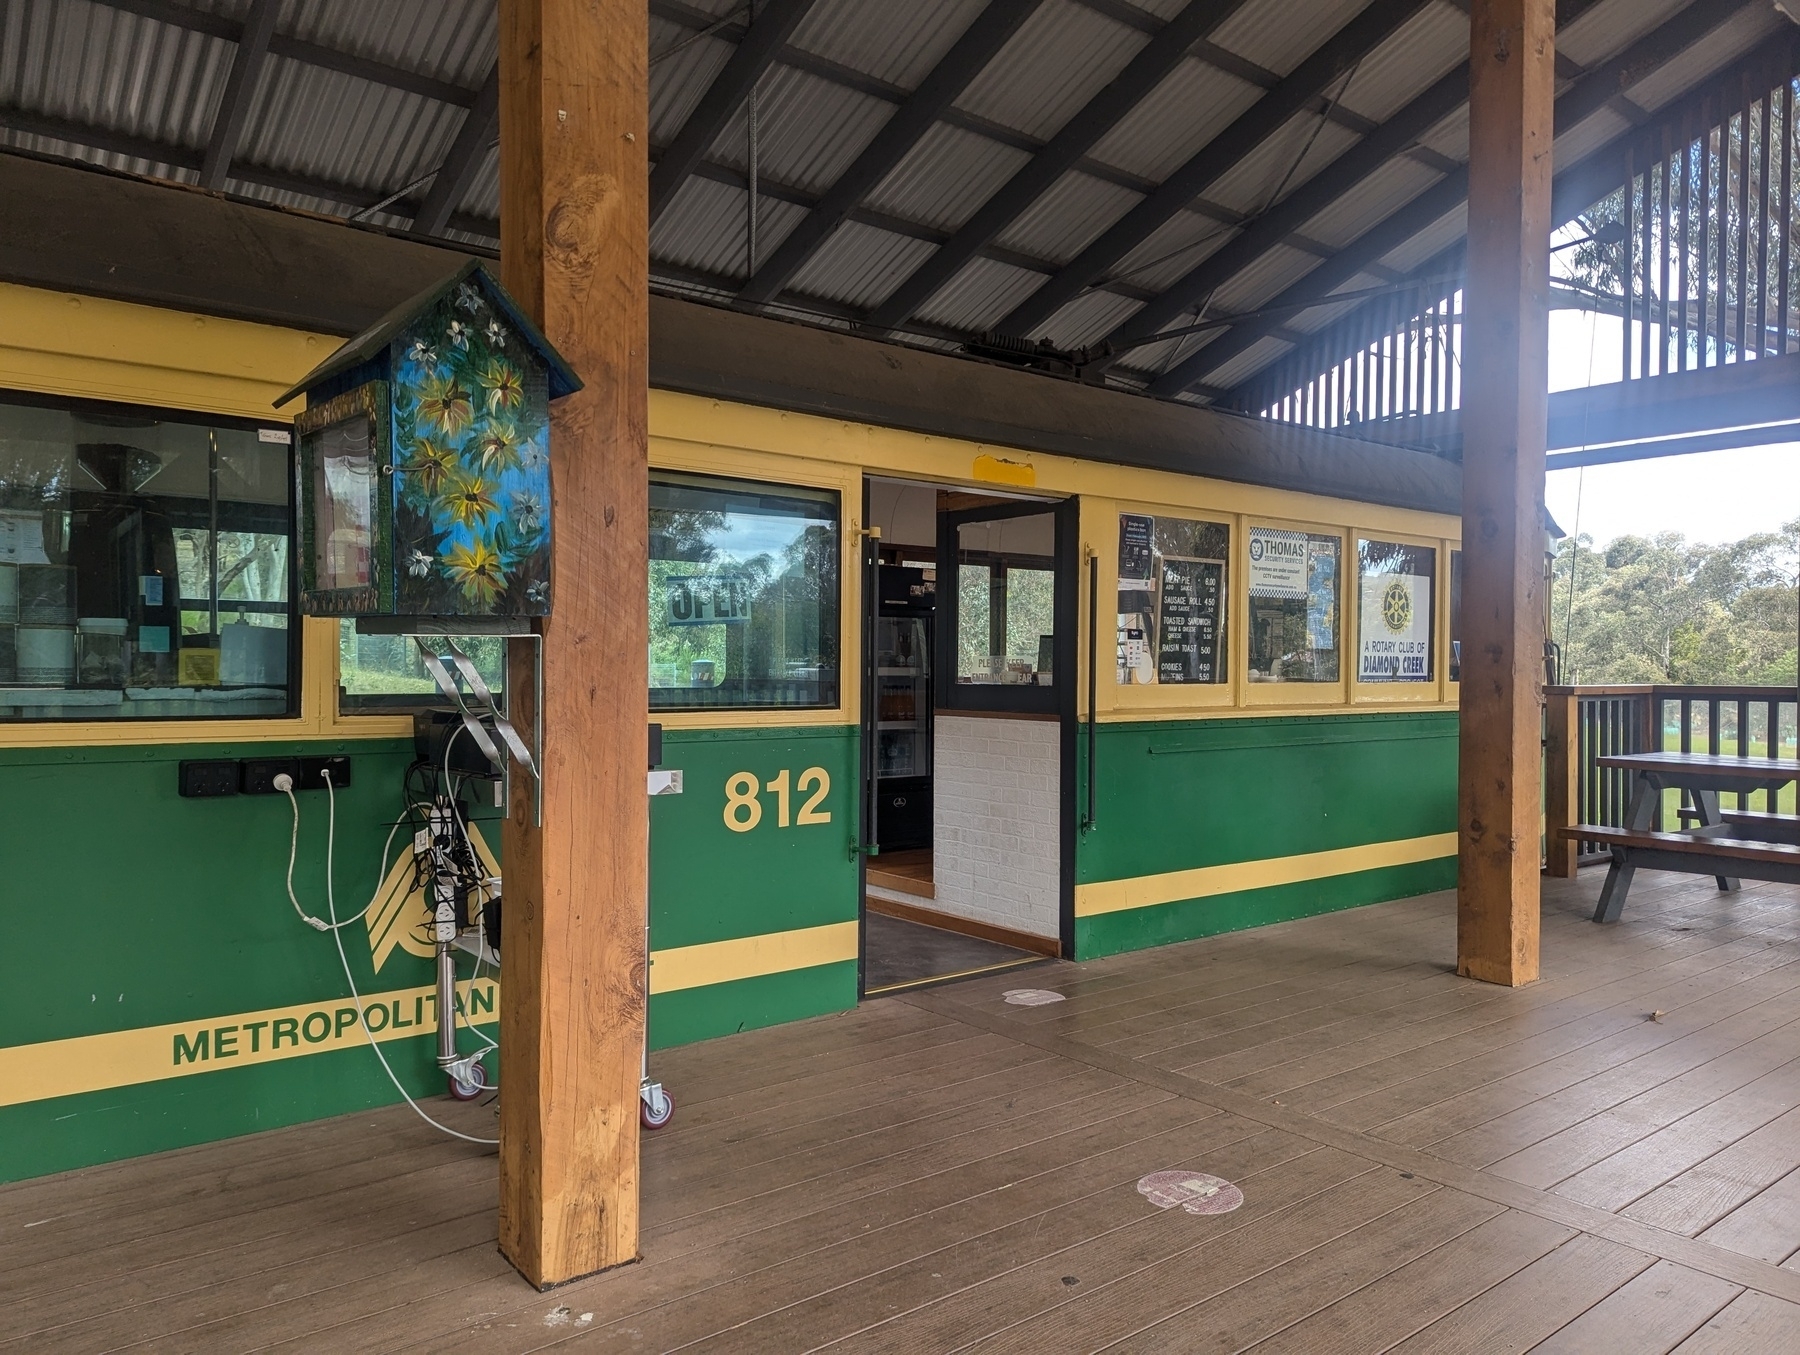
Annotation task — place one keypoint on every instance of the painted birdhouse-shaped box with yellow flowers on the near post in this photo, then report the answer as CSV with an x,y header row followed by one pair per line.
x,y
424,462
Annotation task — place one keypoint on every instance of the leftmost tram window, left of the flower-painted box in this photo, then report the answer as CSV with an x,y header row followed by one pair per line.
x,y
145,564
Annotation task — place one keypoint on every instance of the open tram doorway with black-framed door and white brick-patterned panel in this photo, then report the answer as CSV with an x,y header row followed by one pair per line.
x,y
964,731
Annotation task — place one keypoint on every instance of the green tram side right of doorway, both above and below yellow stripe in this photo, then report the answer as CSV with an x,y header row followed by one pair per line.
x,y
1176,796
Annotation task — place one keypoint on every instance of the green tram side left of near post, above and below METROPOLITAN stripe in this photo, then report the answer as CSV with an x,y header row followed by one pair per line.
x,y
141,908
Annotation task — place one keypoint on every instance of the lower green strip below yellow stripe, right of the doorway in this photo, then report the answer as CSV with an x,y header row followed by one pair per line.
x,y
1187,920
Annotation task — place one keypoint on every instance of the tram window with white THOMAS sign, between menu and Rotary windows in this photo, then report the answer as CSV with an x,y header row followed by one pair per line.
x,y
1293,606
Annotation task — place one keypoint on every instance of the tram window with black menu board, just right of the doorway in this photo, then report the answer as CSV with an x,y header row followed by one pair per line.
x,y
1174,582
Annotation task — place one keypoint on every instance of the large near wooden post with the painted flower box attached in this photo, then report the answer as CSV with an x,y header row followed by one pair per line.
x,y
575,253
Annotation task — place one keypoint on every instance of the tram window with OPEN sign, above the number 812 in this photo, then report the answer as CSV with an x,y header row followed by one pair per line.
x,y
744,593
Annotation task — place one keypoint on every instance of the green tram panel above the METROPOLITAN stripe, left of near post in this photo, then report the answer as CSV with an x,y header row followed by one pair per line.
x,y
150,908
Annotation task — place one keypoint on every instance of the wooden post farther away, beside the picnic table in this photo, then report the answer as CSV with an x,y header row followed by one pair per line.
x,y
1506,408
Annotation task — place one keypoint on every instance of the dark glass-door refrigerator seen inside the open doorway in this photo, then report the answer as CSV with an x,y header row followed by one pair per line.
x,y
903,708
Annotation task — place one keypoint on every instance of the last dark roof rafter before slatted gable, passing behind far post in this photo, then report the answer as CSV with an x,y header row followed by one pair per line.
x,y
1578,103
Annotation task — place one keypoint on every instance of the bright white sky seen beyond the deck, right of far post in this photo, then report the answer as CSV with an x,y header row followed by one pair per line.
x,y
1707,498
